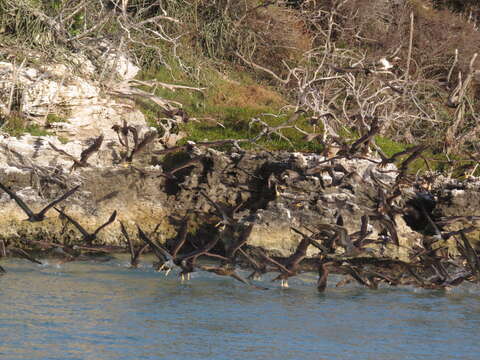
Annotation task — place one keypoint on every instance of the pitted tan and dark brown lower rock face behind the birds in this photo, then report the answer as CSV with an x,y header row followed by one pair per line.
x,y
276,192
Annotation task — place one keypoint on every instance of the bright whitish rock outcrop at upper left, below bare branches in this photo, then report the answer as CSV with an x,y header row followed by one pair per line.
x,y
71,90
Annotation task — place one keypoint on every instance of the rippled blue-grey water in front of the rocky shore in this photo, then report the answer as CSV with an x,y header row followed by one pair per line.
x,y
107,311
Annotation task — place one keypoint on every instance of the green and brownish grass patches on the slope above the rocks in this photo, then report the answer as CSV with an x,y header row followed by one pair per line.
x,y
232,100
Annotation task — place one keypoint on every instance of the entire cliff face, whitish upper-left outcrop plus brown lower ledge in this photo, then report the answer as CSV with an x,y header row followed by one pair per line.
x,y
274,191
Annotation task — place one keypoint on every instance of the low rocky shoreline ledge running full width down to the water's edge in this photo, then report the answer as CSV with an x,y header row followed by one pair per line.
x,y
353,207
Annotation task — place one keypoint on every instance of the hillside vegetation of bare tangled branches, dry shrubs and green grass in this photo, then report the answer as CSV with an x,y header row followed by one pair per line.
x,y
345,63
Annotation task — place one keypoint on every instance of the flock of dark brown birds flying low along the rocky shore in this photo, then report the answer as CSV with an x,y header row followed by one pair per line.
x,y
430,265
